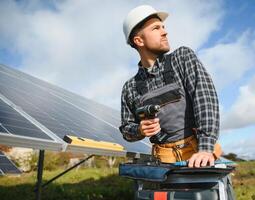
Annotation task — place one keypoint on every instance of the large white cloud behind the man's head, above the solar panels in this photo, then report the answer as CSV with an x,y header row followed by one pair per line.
x,y
80,46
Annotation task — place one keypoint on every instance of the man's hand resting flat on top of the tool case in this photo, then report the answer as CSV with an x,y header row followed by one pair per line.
x,y
202,159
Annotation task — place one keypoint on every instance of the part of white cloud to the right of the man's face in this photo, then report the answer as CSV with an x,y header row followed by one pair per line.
x,y
190,24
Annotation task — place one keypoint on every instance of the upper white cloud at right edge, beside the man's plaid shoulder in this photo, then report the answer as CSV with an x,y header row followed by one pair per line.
x,y
229,62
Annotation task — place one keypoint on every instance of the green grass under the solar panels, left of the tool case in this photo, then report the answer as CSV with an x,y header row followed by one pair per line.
x,y
83,184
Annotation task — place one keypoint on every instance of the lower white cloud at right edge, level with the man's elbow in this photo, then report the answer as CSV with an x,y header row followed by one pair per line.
x,y
242,112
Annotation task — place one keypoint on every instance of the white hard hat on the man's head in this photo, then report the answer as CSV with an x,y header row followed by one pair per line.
x,y
138,14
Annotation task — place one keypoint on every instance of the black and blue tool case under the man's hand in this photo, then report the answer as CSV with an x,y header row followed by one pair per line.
x,y
154,181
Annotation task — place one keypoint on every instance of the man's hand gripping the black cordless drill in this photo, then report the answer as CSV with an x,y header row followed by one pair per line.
x,y
149,127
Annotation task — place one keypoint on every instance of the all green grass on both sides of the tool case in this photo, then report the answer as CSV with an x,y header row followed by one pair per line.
x,y
102,184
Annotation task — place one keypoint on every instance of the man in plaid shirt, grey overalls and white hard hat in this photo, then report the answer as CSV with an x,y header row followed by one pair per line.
x,y
188,123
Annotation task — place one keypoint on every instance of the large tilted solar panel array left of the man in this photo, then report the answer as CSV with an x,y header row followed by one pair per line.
x,y
32,108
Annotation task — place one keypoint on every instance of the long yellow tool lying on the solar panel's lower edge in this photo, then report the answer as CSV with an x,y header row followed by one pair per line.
x,y
80,141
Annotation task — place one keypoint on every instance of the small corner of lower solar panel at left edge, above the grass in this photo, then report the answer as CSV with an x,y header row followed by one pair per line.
x,y
7,166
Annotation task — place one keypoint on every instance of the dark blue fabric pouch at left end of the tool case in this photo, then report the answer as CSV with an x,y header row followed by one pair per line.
x,y
144,172
